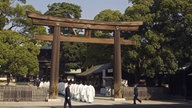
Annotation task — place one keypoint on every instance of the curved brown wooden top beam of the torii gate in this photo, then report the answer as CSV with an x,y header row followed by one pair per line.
x,y
84,24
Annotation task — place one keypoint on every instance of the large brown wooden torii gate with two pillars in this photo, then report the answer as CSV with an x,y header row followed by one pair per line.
x,y
88,25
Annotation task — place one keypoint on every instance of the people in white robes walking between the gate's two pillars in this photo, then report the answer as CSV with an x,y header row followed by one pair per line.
x,y
80,92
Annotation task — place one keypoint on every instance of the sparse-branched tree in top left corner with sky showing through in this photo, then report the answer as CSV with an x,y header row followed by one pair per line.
x,y
15,18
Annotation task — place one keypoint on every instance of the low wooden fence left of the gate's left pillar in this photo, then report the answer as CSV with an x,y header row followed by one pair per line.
x,y
22,93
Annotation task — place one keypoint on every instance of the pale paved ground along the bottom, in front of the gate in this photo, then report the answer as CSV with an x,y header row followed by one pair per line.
x,y
100,102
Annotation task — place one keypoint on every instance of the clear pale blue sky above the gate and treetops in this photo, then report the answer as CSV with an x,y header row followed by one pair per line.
x,y
90,8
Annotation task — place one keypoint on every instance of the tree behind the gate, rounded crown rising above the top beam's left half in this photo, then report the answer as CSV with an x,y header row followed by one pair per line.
x,y
72,54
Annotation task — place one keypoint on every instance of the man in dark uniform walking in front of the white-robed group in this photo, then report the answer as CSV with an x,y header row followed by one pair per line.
x,y
67,96
